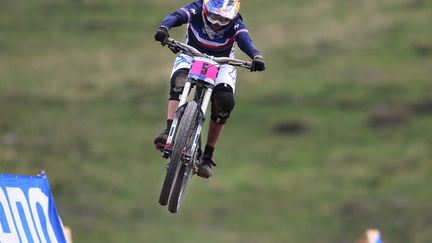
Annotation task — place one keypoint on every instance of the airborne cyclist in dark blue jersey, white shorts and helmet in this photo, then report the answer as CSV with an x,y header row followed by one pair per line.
x,y
214,27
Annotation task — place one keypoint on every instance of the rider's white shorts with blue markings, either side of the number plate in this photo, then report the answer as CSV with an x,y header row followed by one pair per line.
x,y
227,73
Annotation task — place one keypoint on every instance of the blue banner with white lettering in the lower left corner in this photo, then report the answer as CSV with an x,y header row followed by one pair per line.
x,y
27,211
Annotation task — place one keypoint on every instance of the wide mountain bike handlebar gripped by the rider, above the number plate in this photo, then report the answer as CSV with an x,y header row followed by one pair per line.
x,y
191,51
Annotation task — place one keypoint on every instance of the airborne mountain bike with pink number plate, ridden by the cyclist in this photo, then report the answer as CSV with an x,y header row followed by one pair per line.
x,y
183,146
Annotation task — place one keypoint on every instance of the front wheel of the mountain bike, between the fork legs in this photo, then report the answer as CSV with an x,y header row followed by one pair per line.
x,y
180,145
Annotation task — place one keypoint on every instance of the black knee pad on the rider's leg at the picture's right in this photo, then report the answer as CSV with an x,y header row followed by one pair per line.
x,y
222,103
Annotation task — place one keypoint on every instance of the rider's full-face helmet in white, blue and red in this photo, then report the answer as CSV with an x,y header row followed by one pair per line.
x,y
219,13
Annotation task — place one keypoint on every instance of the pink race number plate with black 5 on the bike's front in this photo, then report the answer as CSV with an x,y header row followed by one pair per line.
x,y
204,69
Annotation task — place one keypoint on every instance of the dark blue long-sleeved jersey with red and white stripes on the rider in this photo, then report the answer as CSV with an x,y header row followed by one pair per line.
x,y
220,44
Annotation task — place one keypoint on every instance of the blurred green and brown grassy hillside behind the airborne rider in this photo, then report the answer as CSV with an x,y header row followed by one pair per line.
x,y
333,138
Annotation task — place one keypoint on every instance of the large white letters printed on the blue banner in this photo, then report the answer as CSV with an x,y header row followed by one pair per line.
x,y
30,213
